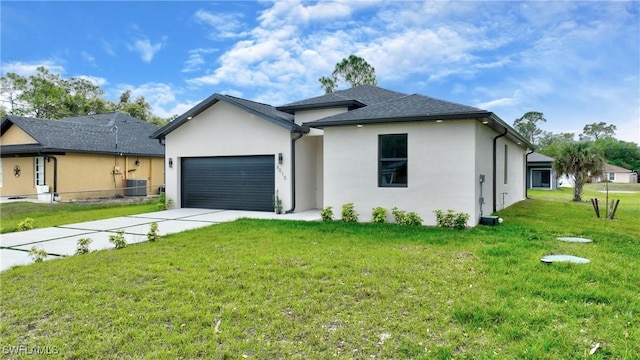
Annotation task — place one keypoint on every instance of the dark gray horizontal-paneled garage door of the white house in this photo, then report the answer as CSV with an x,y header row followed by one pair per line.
x,y
229,182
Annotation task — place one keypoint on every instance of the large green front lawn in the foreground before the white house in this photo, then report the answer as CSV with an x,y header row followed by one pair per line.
x,y
278,289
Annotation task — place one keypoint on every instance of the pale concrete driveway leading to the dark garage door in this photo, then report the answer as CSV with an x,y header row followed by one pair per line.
x,y
62,240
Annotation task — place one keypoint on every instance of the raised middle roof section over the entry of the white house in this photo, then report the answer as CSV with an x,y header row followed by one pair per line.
x,y
355,97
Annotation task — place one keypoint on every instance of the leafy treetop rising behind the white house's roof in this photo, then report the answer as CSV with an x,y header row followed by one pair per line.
x,y
353,70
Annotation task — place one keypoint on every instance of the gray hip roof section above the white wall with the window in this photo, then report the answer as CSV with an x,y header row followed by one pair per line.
x,y
405,108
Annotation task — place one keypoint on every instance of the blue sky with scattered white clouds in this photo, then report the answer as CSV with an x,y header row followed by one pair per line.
x,y
578,62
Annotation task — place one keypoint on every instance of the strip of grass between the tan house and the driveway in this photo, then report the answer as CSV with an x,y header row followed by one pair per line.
x,y
46,215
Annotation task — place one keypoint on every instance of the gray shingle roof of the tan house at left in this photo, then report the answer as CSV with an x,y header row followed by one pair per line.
x,y
85,134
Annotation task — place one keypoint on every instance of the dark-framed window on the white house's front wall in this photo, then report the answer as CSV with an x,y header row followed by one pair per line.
x,y
392,160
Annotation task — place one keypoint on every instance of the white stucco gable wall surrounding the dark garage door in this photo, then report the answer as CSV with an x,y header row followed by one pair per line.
x,y
224,130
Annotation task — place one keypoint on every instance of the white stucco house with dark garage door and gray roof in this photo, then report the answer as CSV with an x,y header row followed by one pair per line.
x,y
366,145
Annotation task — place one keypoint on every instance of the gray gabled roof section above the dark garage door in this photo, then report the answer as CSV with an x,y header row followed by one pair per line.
x,y
264,111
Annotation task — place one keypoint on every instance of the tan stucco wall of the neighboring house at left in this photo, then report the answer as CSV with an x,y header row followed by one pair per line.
x,y
82,176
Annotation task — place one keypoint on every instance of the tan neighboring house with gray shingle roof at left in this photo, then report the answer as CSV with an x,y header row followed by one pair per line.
x,y
79,157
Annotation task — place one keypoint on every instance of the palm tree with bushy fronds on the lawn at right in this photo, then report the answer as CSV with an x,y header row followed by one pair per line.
x,y
578,160
